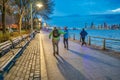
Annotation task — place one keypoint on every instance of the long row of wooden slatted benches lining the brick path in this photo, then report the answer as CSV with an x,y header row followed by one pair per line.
x,y
12,44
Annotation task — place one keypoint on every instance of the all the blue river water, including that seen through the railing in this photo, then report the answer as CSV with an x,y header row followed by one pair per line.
x,y
110,44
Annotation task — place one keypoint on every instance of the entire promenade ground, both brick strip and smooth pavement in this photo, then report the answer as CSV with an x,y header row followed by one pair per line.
x,y
77,63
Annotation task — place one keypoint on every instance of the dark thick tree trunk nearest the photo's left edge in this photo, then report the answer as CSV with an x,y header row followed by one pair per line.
x,y
3,18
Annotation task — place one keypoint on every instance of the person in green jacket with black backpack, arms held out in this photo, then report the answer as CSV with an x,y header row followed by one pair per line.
x,y
55,33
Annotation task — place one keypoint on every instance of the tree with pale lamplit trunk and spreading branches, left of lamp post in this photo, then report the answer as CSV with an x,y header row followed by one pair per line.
x,y
19,7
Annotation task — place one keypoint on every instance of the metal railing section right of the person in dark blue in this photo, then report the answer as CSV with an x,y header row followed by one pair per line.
x,y
106,43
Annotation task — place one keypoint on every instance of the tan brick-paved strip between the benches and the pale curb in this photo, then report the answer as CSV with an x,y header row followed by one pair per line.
x,y
27,66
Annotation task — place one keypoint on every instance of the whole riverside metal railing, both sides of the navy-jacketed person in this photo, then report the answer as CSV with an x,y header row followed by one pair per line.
x,y
104,43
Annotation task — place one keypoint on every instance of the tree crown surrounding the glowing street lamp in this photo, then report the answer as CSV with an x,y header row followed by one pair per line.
x,y
43,12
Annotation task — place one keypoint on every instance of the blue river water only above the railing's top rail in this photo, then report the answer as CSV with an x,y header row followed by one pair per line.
x,y
114,34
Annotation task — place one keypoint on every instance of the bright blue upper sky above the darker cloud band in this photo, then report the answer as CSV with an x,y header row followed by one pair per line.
x,y
86,7
